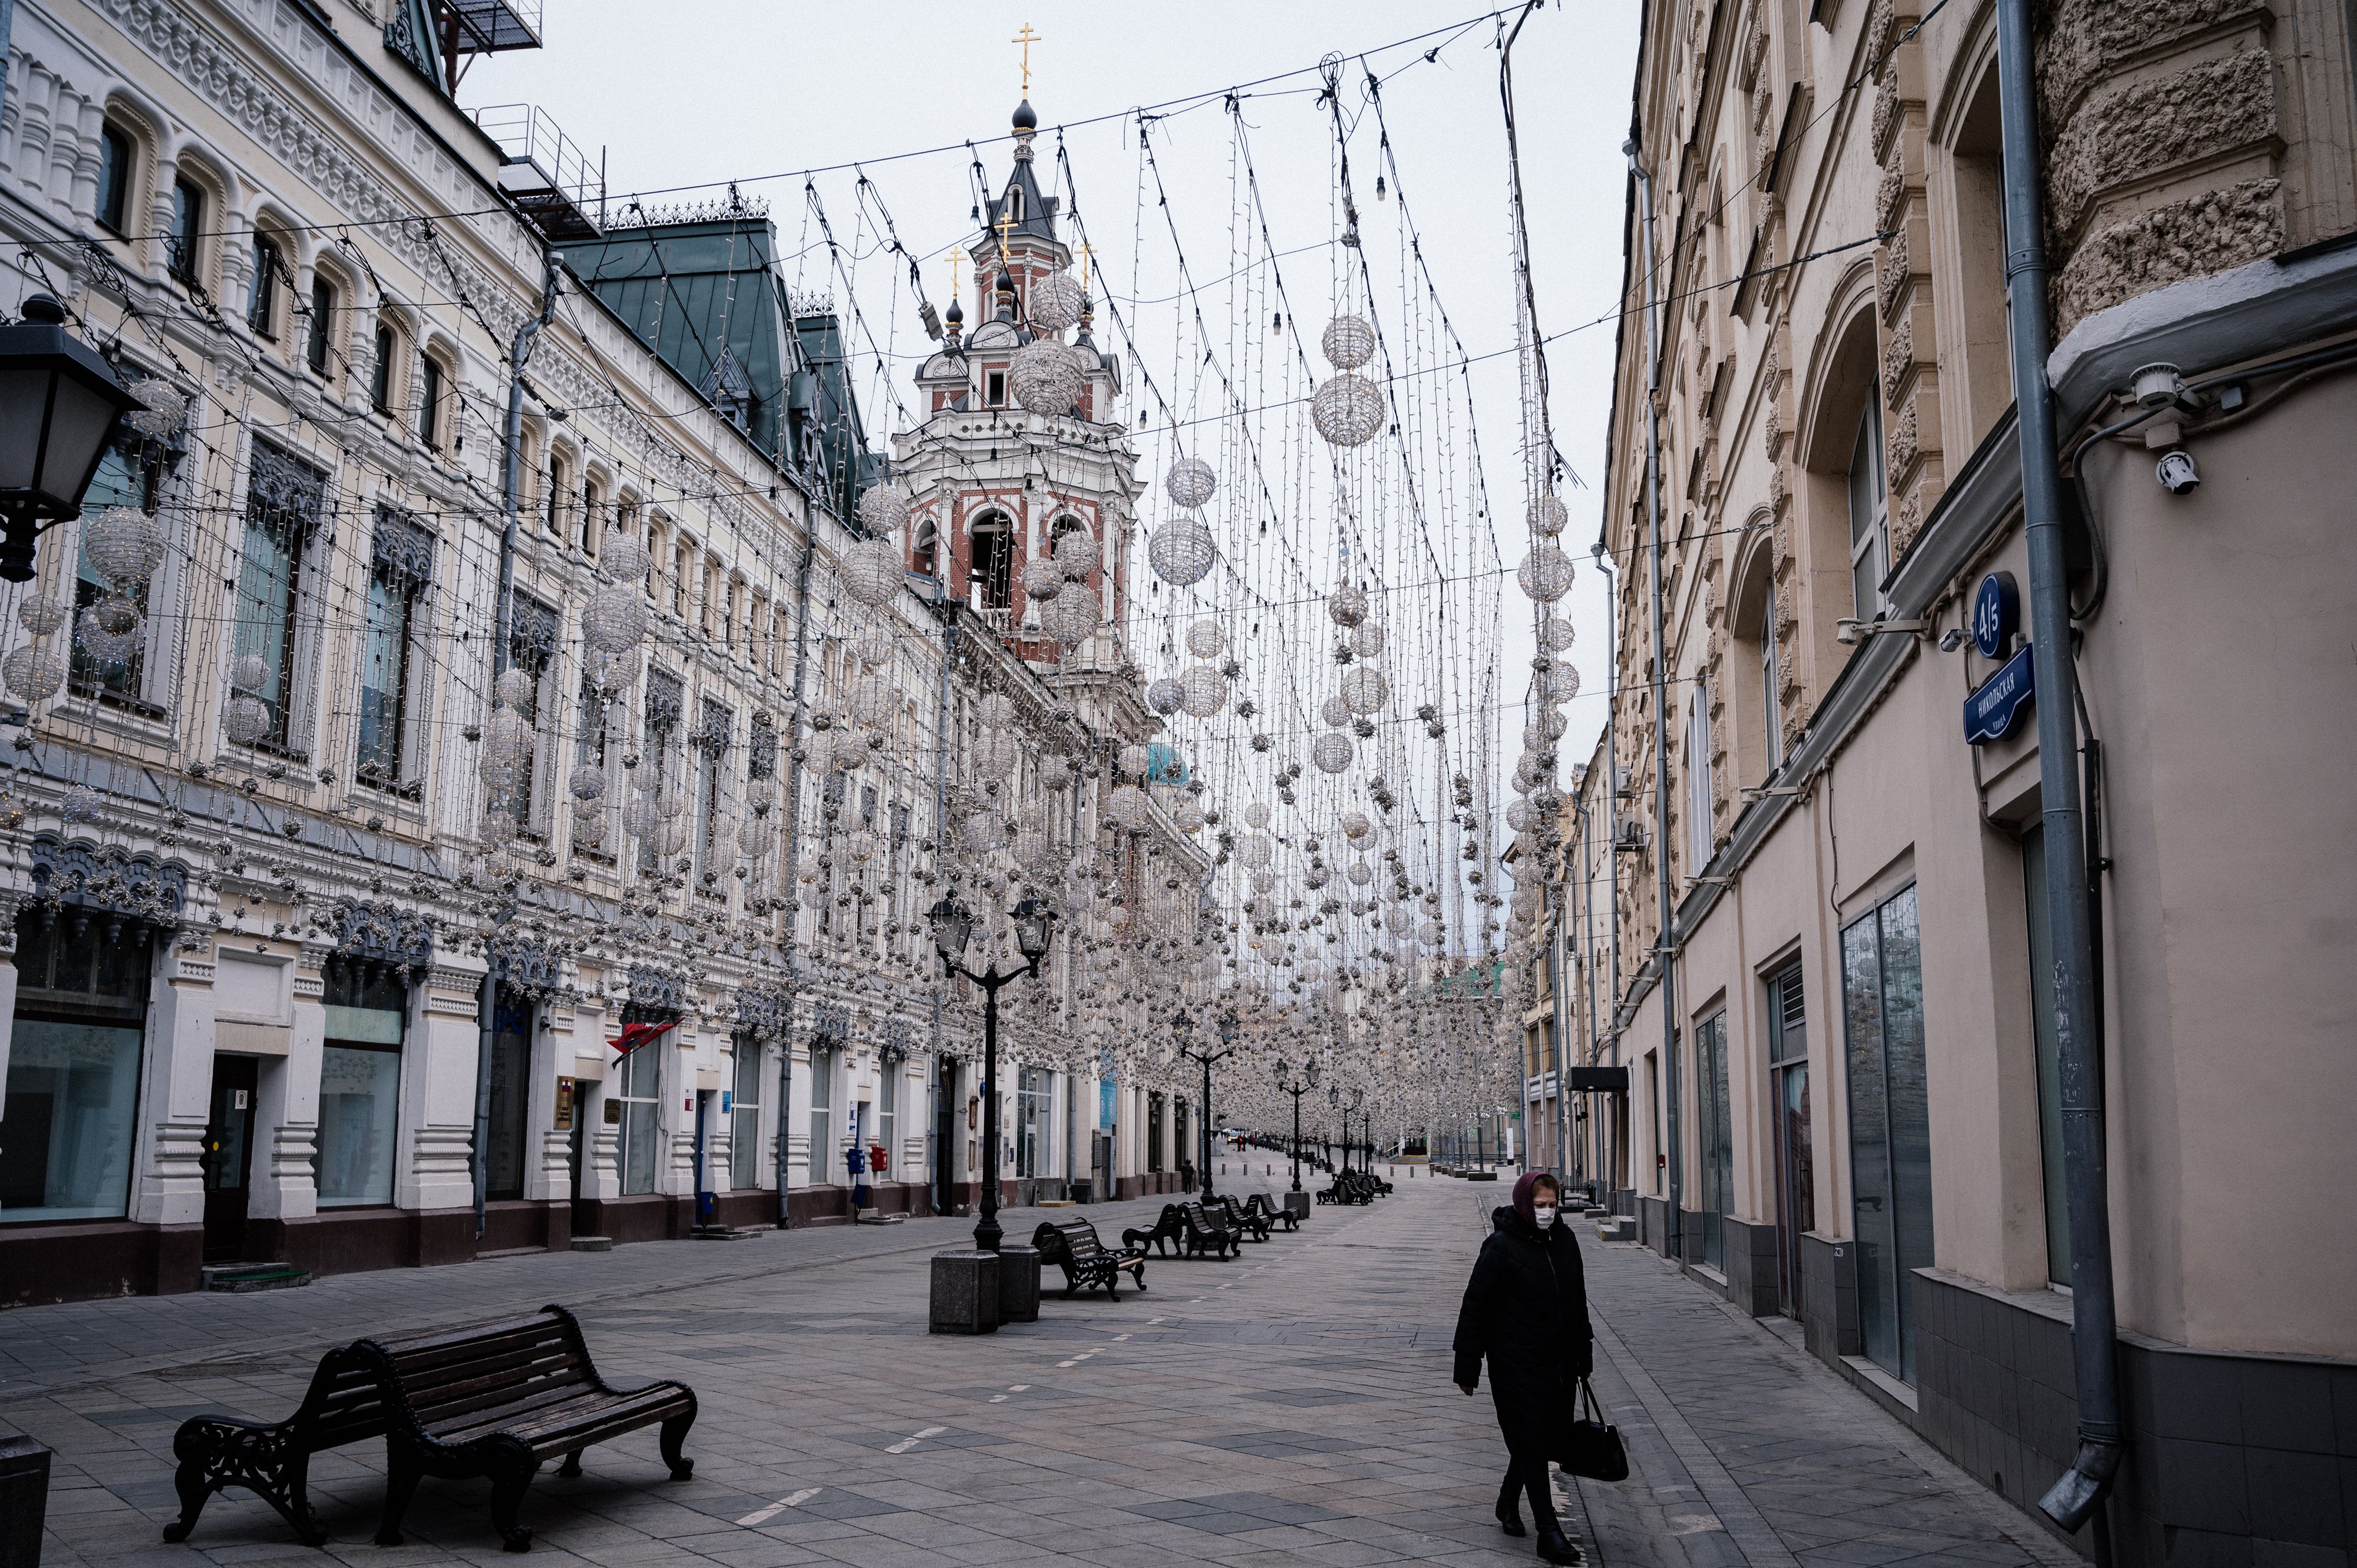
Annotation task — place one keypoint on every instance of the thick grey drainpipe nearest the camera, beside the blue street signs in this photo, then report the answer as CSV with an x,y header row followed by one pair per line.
x,y
2075,1498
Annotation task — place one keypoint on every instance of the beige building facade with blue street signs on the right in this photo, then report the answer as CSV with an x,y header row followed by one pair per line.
x,y
1844,1102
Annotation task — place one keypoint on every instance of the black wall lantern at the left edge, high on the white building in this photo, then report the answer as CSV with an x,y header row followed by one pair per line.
x,y
58,409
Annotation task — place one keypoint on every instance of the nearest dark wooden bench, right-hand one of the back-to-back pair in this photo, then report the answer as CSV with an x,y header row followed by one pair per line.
x,y
501,1399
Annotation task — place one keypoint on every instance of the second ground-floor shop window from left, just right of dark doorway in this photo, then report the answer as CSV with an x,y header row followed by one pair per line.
x,y
359,1086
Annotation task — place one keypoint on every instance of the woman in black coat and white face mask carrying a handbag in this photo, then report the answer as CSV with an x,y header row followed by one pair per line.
x,y
1529,1312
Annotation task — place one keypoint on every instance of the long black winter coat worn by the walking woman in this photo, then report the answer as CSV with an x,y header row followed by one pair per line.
x,y
1529,1312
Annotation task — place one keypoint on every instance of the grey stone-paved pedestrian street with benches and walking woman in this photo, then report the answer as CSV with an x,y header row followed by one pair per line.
x,y
1290,1406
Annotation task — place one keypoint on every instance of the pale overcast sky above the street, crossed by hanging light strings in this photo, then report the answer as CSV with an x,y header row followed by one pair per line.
x,y
711,91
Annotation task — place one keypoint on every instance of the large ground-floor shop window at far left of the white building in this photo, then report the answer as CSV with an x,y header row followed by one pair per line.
x,y
70,1116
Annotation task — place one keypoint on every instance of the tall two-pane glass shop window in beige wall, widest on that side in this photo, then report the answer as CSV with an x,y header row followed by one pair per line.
x,y
1882,999
